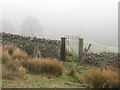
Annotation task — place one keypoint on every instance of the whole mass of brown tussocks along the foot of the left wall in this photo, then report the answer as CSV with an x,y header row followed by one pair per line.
x,y
18,61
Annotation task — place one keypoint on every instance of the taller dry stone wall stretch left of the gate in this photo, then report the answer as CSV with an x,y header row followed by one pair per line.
x,y
48,48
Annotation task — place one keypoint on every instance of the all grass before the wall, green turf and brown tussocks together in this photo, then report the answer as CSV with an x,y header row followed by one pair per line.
x,y
22,71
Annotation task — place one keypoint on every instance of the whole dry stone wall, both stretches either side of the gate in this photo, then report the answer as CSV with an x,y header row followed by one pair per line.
x,y
49,48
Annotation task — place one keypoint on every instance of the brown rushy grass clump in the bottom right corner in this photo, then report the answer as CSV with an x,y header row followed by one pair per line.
x,y
102,79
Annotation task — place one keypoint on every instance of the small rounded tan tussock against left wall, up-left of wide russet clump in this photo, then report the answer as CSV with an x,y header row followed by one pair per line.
x,y
19,54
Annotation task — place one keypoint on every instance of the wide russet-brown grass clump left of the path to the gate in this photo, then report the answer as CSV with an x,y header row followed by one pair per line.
x,y
49,66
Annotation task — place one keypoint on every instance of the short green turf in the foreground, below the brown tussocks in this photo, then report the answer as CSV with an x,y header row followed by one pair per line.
x,y
31,80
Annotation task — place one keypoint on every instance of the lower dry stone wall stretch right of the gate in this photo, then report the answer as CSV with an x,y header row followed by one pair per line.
x,y
104,58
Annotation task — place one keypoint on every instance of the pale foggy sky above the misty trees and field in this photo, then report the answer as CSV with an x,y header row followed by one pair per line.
x,y
94,20
